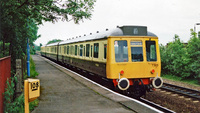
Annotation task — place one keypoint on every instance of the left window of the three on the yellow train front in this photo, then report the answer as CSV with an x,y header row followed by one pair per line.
x,y
121,51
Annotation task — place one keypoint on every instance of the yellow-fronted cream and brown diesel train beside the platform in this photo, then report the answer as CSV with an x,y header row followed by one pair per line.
x,y
127,56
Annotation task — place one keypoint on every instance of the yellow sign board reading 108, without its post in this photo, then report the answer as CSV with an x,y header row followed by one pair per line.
x,y
34,88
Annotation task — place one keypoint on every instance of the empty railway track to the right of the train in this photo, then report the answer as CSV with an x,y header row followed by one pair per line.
x,y
195,94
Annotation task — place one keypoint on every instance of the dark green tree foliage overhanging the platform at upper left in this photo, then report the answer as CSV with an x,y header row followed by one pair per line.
x,y
19,20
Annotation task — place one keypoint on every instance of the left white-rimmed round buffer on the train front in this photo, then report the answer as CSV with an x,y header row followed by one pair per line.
x,y
123,84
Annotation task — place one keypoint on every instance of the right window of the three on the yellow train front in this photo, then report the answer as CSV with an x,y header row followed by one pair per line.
x,y
151,50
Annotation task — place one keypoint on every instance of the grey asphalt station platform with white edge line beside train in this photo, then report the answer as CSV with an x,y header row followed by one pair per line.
x,y
65,92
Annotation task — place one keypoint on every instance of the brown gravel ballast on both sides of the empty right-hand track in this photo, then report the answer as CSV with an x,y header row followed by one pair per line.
x,y
175,102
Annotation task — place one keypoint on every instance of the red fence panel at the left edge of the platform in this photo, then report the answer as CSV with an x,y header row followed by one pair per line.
x,y
5,73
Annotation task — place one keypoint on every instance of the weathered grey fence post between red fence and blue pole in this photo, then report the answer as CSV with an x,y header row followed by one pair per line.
x,y
19,77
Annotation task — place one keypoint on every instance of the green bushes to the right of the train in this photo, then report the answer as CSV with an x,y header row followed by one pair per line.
x,y
181,60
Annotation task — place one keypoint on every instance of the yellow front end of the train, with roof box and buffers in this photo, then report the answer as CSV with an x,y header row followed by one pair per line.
x,y
133,61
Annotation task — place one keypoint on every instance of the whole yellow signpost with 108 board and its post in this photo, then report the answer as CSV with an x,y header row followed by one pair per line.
x,y
31,92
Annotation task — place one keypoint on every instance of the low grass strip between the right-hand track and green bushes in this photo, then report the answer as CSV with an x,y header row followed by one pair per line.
x,y
175,78
